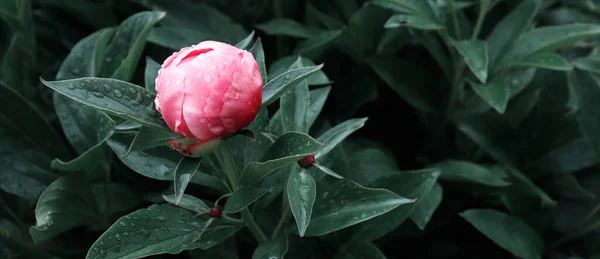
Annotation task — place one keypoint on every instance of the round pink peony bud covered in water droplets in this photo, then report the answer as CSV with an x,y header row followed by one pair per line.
x,y
208,91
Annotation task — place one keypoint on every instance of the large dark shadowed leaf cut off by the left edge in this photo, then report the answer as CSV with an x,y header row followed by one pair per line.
x,y
26,173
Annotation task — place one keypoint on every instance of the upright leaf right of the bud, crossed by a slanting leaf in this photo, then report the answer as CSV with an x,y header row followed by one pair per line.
x,y
294,106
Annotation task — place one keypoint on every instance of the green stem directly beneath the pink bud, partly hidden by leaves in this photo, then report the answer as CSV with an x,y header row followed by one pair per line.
x,y
230,171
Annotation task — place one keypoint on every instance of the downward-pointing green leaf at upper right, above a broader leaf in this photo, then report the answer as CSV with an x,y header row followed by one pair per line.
x,y
475,54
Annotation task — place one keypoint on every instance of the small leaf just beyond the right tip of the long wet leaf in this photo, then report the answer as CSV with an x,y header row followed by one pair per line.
x,y
426,206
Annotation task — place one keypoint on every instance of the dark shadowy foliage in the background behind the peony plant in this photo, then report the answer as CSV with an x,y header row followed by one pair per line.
x,y
545,141
